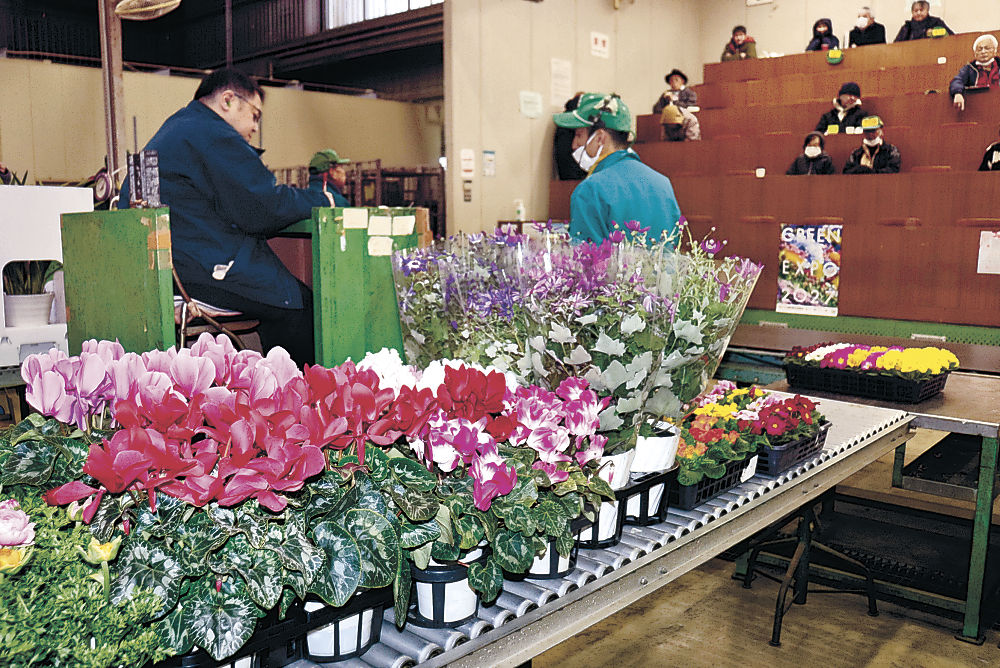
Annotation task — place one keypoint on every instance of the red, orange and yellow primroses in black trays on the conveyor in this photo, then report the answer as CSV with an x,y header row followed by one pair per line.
x,y
729,424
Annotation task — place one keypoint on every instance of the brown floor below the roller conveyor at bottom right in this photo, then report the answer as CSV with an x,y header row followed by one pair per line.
x,y
707,619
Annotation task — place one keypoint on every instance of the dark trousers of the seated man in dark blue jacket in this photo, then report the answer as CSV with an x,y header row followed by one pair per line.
x,y
292,329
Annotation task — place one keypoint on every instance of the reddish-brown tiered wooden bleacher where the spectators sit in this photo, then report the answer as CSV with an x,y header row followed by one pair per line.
x,y
911,240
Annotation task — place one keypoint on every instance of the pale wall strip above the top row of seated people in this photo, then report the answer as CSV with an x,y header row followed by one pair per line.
x,y
785,26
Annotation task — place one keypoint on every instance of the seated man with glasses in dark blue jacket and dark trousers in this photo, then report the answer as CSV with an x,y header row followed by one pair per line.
x,y
224,204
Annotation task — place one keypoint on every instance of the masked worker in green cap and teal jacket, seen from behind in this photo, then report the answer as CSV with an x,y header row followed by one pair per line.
x,y
618,188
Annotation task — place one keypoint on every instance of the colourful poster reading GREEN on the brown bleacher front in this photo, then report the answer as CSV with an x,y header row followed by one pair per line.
x,y
809,269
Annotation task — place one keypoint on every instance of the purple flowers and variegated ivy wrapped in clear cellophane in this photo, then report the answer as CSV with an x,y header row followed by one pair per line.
x,y
646,324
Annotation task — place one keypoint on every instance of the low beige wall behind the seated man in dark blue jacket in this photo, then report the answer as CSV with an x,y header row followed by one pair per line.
x,y
52,121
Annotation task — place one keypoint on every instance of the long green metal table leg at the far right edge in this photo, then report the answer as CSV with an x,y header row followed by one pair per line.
x,y
971,631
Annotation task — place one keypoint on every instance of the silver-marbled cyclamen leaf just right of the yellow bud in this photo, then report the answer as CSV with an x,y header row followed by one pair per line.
x,y
144,566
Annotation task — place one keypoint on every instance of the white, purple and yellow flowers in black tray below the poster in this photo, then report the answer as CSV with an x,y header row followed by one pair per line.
x,y
910,363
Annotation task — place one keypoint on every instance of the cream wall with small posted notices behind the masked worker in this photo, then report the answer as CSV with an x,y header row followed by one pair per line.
x,y
496,48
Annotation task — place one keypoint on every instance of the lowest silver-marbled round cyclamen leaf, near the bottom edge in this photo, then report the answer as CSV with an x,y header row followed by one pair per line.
x,y
220,622
